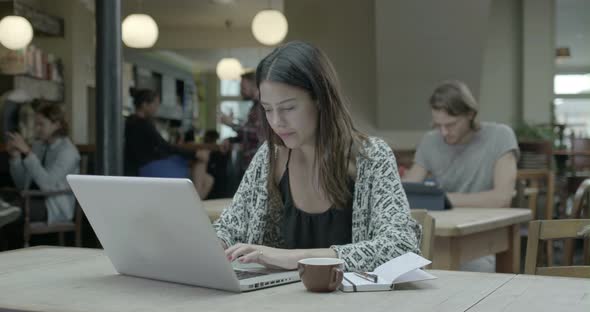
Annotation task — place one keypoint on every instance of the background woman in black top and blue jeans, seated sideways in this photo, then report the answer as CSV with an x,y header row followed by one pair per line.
x,y
145,145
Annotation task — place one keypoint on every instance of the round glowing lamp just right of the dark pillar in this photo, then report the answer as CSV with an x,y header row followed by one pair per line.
x,y
139,31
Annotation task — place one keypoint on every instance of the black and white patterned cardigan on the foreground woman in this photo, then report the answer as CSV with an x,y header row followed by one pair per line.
x,y
382,227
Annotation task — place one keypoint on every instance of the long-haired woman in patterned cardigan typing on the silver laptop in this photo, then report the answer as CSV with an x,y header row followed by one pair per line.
x,y
317,187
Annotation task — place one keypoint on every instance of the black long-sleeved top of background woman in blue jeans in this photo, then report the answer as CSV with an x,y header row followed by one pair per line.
x,y
144,144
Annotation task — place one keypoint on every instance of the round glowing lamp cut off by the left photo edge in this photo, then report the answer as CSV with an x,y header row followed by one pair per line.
x,y
15,32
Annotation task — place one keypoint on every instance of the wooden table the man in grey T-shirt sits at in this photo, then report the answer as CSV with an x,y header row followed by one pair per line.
x,y
464,234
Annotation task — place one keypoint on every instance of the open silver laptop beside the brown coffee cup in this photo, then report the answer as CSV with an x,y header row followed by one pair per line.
x,y
158,229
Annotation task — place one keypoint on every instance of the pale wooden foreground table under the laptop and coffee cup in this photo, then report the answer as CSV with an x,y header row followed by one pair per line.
x,y
76,279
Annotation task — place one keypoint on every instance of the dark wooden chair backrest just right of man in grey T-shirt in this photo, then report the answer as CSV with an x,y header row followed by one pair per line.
x,y
535,155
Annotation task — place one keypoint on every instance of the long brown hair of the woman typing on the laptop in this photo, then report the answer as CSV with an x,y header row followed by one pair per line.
x,y
304,66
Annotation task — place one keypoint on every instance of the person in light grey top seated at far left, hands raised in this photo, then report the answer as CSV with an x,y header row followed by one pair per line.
x,y
45,164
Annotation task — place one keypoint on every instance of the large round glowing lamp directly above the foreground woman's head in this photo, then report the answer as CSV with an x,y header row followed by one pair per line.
x,y
270,27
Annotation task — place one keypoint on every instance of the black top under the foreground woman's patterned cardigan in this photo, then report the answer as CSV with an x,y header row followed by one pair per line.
x,y
314,230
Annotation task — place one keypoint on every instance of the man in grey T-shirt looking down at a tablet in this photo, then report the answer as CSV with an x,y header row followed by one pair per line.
x,y
474,162
